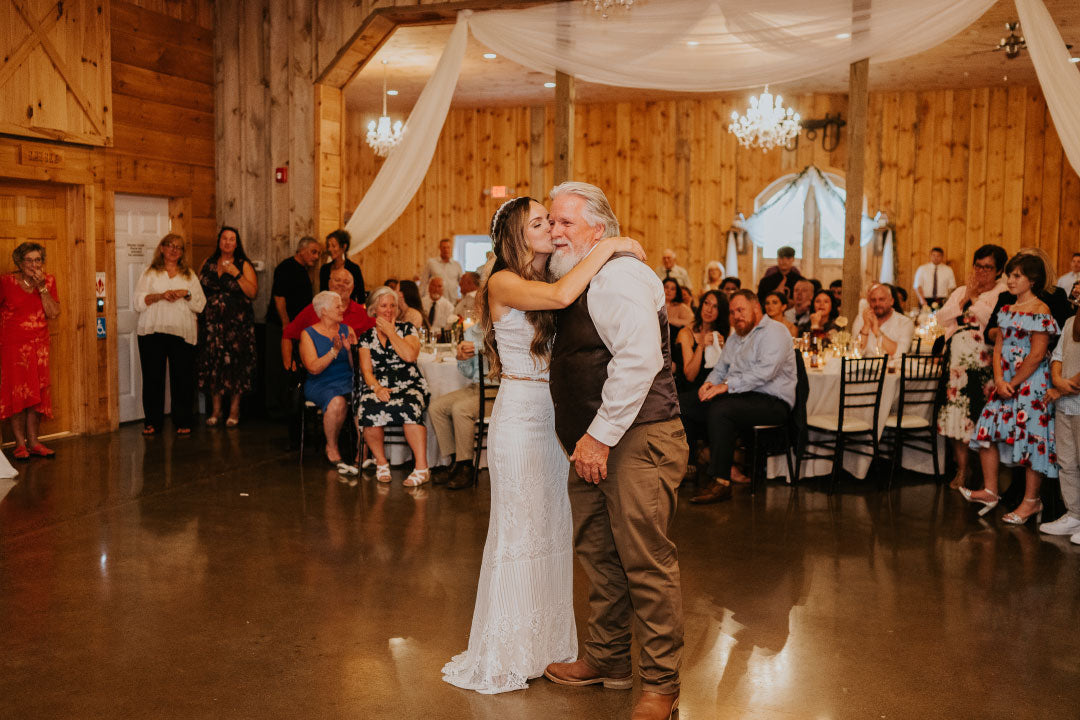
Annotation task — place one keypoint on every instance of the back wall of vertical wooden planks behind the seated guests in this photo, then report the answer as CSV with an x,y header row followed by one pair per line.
x,y
956,169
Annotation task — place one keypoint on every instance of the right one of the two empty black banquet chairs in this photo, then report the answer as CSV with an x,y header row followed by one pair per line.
x,y
915,424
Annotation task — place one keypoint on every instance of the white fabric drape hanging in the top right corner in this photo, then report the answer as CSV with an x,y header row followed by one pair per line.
x,y
1059,78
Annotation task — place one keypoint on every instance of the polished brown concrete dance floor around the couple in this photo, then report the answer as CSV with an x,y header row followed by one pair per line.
x,y
213,577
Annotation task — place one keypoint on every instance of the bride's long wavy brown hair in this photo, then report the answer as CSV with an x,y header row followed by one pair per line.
x,y
514,253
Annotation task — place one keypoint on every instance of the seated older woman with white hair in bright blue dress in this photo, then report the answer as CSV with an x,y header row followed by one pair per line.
x,y
325,351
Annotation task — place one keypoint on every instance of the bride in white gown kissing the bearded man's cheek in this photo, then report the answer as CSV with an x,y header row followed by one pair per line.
x,y
524,615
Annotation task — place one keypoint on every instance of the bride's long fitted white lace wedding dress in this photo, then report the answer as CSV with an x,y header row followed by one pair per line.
x,y
524,615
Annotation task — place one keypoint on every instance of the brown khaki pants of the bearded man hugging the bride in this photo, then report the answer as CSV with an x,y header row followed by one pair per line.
x,y
620,535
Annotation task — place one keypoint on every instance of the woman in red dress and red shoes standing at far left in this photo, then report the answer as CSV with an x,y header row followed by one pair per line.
x,y
29,301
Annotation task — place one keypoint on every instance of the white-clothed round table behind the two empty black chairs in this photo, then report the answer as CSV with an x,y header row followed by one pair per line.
x,y
825,399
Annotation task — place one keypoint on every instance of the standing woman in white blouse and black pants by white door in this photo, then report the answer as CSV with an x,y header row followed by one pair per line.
x,y
168,297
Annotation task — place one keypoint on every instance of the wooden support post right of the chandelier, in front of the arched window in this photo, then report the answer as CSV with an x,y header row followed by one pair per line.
x,y
858,101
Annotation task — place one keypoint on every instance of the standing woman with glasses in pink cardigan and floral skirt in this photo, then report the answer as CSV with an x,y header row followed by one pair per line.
x,y
964,318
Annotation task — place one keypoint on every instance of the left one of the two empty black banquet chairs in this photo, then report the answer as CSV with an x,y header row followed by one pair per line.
x,y
861,383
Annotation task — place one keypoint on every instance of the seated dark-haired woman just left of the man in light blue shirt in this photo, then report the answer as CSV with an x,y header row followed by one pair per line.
x,y
696,342
